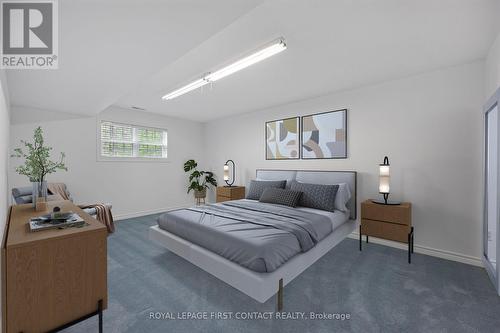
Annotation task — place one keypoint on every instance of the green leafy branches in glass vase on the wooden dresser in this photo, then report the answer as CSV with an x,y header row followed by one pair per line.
x,y
37,164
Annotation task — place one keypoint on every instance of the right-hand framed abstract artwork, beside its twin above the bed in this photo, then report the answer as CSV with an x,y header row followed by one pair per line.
x,y
324,135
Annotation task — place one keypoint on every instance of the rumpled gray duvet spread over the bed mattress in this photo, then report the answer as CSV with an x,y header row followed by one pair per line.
x,y
258,236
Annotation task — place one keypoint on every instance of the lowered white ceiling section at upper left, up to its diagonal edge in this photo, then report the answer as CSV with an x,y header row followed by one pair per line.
x,y
108,46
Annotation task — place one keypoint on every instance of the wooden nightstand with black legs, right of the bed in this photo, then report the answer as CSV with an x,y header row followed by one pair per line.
x,y
391,222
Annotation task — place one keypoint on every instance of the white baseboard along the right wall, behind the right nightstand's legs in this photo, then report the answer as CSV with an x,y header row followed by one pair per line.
x,y
443,254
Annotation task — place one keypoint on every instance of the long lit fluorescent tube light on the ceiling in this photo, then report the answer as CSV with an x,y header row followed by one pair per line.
x,y
273,48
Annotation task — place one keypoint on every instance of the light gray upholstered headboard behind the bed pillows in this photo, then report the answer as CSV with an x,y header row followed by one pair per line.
x,y
316,177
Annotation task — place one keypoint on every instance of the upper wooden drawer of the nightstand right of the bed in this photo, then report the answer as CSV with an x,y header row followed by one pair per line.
x,y
400,214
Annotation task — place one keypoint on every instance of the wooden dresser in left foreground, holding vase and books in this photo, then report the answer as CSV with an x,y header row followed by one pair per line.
x,y
52,278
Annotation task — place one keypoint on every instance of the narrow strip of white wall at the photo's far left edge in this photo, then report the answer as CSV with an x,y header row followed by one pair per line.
x,y
4,151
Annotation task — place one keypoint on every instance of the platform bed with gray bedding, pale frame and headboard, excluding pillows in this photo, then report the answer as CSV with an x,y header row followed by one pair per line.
x,y
264,277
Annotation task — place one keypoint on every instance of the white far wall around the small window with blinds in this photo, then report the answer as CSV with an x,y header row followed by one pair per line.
x,y
133,188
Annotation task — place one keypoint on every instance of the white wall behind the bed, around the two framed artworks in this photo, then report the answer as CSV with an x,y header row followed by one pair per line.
x,y
430,127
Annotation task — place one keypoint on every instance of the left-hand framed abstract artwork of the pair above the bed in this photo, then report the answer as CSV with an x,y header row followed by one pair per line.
x,y
282,138
